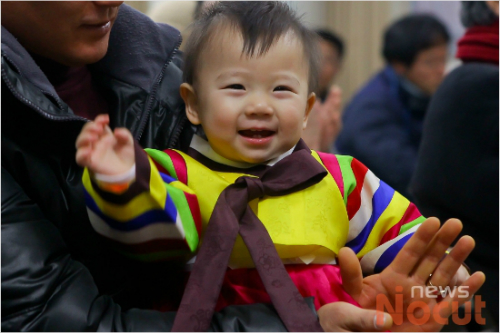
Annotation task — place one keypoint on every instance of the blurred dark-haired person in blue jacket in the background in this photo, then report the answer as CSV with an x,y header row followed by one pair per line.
x,y
382,125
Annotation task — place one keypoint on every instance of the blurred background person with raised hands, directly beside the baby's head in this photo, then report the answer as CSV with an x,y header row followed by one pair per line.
x,y
325,121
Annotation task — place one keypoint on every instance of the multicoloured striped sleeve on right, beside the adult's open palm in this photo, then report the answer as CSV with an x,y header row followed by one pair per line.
x,y
380,219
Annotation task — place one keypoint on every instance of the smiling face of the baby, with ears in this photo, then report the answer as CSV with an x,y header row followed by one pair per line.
x,y
251,109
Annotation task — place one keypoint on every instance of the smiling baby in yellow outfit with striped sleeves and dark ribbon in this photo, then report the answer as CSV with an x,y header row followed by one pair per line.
x,y
250,72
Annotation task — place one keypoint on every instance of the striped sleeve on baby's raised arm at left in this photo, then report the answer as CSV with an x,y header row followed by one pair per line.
x,y
157,218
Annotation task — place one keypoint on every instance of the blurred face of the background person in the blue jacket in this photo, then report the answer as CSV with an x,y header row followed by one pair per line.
x,y
427,71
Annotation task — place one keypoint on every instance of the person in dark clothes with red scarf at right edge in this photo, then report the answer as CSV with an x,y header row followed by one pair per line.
x,y
457,167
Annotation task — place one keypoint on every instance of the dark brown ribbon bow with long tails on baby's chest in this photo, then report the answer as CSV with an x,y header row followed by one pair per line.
x,y
233,215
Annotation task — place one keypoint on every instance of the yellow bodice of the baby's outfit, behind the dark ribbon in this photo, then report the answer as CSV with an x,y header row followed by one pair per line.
x,y
308,226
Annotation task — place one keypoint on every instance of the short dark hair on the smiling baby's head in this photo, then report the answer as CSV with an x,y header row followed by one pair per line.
x,y
261,24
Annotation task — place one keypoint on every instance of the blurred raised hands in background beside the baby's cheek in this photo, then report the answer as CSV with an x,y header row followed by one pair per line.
x,y
324,122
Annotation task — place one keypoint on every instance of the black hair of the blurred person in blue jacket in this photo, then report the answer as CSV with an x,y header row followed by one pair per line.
x,y
409,36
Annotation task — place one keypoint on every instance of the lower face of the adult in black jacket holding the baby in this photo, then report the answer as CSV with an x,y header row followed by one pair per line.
x,y
72,33
